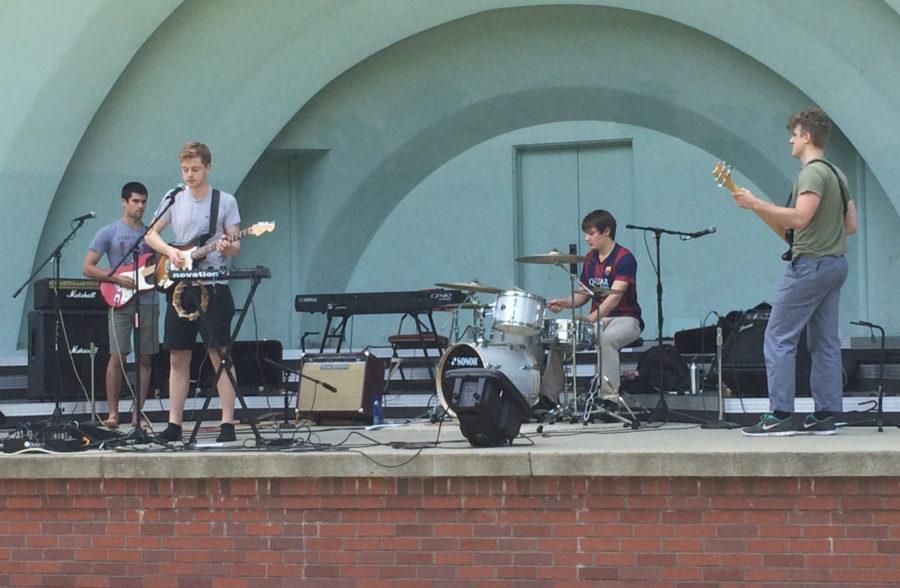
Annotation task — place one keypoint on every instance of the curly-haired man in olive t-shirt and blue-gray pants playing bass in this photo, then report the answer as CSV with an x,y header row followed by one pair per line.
x,y
821,214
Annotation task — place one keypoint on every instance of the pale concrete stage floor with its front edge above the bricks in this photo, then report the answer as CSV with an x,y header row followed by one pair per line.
x,y
439,450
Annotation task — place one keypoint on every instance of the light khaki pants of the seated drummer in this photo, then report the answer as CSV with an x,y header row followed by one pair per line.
x,y
615,333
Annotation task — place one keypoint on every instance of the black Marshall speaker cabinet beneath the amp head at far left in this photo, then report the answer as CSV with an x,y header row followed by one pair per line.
x,y
48,368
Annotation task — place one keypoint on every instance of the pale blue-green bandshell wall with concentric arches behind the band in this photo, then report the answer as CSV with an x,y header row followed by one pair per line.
x,y
350,123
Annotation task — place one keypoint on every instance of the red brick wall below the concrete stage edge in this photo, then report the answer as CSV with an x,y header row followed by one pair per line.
x,y
396,531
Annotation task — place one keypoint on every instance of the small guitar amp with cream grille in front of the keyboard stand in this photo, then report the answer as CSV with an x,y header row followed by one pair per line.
x,y
357,377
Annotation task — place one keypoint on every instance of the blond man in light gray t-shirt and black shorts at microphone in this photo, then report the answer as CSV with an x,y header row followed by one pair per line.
x,y
189,218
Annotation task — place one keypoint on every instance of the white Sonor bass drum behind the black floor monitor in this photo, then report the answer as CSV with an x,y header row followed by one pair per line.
x,y
517,363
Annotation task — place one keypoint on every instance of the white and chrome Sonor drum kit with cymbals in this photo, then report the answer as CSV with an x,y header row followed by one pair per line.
x,y
519,334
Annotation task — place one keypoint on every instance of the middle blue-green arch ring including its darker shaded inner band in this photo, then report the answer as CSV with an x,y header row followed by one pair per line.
x,y
419,116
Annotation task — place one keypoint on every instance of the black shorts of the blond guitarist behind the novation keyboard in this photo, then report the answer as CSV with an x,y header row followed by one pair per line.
x,y
214,325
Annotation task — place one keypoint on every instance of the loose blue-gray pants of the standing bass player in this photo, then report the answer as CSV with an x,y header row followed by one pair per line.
x,y
809,295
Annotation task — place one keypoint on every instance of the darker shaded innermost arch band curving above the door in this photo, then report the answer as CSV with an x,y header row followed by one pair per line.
x,y
404,168
